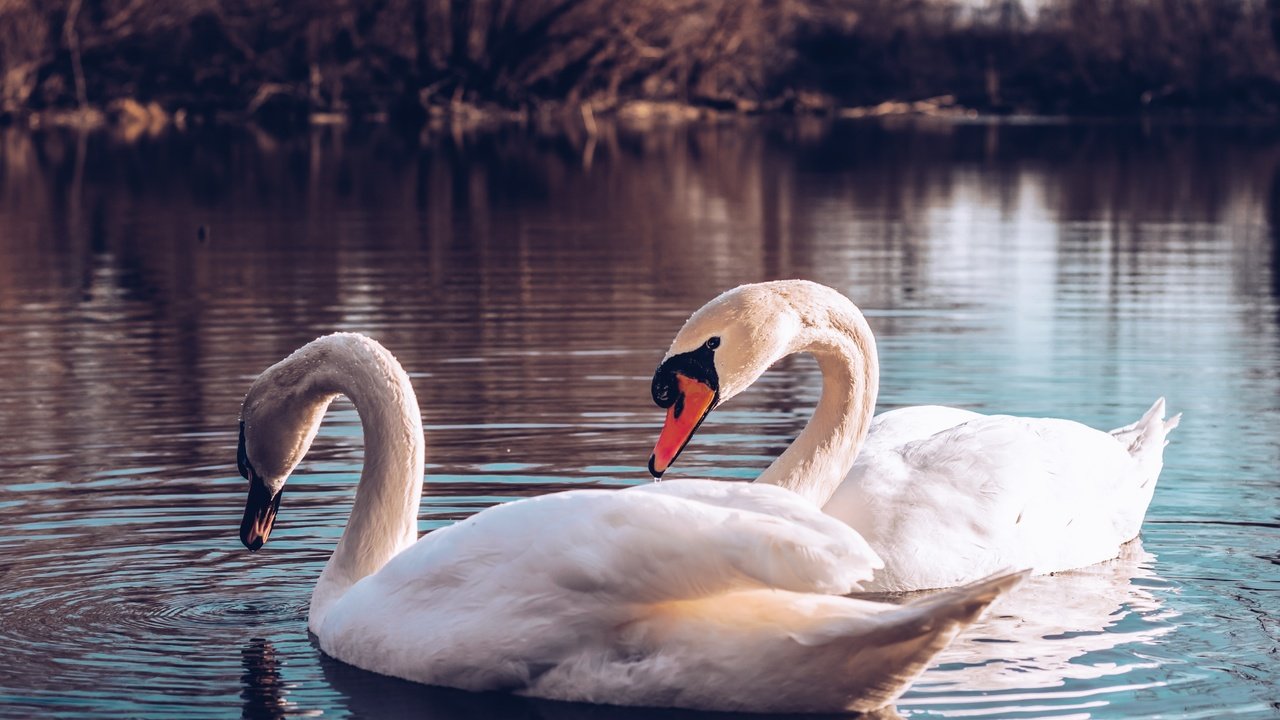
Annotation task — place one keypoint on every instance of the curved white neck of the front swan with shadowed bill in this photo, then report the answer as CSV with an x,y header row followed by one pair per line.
x,y
385,516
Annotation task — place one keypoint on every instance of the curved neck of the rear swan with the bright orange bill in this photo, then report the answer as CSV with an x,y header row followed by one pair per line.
x,y
822,455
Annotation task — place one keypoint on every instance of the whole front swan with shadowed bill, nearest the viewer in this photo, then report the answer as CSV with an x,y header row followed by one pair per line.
x,y
696,595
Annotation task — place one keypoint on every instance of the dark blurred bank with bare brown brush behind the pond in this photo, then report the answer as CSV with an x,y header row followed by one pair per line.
x,y
418,62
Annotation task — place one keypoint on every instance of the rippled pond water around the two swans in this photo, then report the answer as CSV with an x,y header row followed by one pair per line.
x,y
531,282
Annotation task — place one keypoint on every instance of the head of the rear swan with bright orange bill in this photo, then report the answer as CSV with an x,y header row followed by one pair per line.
x,y
720,352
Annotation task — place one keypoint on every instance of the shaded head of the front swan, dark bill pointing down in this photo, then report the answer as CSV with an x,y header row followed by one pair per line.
x,y
280,420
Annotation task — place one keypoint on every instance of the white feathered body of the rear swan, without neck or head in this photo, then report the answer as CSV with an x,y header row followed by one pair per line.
x,y
993,491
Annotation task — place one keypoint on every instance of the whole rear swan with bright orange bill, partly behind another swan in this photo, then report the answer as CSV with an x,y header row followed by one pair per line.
x,y
943,495
